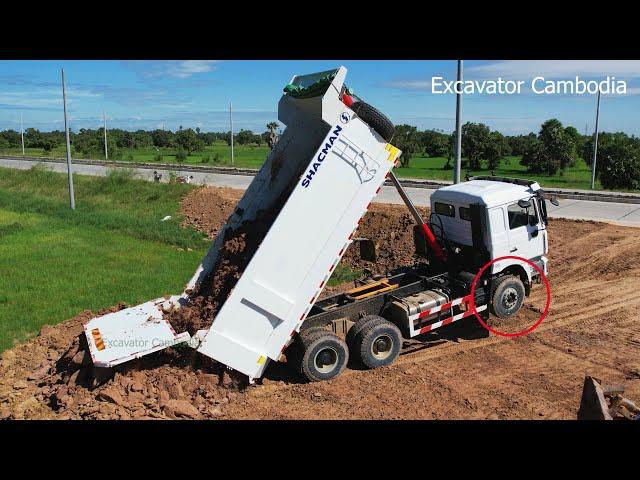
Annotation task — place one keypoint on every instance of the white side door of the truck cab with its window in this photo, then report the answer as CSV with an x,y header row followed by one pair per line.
x,y
526,238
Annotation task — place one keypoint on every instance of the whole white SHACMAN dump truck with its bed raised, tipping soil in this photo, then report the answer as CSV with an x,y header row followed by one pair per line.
x,y
320,178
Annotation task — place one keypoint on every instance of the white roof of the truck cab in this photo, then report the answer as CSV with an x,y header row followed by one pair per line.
x,y
486,192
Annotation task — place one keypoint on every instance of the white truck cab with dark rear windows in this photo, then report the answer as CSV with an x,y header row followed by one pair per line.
x,y
491,217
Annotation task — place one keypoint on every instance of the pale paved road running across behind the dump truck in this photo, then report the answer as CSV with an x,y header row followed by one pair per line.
x,y
620,213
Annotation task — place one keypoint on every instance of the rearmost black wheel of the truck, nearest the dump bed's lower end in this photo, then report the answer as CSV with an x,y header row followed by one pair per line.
x,y
323,355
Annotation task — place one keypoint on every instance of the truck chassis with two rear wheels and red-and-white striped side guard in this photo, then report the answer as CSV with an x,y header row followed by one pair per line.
x,y
378,302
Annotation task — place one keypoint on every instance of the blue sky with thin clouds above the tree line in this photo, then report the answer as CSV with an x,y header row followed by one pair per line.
x,y
153,94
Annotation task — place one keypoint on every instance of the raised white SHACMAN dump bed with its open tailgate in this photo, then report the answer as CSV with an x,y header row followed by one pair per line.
x,y
308,198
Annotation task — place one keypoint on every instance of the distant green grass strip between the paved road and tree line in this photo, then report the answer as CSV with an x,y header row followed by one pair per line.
x,y
252,156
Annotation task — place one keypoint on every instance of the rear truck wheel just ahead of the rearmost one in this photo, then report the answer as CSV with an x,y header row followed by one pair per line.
x,y
378,343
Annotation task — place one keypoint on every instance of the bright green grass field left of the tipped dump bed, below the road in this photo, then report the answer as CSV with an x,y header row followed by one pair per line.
x,y
113,247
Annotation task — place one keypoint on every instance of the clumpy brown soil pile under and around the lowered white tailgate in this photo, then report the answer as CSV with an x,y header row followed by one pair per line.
x,y
51,377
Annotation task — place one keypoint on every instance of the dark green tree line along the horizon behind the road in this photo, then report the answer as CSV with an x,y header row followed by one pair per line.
x,y
553,149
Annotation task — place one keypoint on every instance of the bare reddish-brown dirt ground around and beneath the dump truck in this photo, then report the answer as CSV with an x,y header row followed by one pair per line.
x,y
459,372
